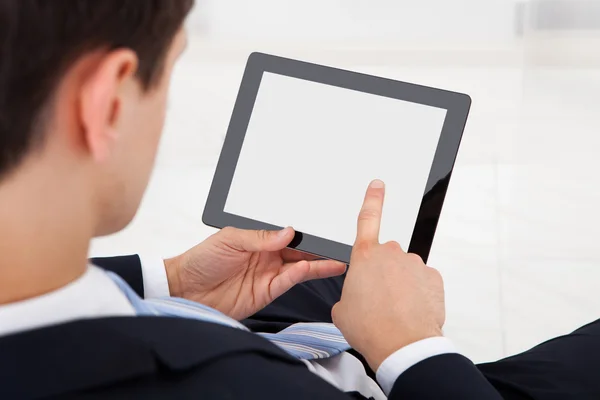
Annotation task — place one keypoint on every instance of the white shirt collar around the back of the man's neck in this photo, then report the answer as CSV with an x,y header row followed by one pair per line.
x,y
93,295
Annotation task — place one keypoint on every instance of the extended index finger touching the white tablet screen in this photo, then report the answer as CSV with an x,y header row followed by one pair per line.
x,y
369,219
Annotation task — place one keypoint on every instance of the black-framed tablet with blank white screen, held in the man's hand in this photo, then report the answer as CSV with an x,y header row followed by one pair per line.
x,y
305,141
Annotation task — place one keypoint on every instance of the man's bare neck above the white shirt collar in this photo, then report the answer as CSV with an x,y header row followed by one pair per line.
x,y
45,232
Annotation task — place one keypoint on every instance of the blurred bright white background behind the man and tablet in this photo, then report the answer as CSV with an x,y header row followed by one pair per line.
x,y
517,238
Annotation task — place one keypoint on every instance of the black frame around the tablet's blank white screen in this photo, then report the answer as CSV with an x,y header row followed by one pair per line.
x,y
456,104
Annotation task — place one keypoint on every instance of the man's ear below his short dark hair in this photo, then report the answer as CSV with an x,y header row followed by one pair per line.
x,y
101,101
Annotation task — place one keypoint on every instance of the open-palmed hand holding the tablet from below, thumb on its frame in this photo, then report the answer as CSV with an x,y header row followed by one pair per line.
x,y
239,272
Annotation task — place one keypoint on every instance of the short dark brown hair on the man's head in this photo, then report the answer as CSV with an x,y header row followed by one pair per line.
x,y
41,39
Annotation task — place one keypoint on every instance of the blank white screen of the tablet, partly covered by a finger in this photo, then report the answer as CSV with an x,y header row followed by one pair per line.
x,y
311,151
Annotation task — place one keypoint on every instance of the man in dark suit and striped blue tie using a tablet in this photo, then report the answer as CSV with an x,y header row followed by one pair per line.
x,y
83,87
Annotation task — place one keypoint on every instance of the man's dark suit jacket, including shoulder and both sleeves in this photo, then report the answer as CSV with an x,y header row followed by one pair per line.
x,y
172,358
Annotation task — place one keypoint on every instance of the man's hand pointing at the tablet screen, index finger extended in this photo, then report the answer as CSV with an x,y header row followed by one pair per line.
x,y
390,299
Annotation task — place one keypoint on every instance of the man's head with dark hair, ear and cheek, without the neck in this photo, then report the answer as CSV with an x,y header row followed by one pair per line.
x,y
83,91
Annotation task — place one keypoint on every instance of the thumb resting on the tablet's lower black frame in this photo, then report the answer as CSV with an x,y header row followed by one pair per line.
x,y
263,240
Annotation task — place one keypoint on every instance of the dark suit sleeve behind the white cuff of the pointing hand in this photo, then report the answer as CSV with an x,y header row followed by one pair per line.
x,y
448,376
